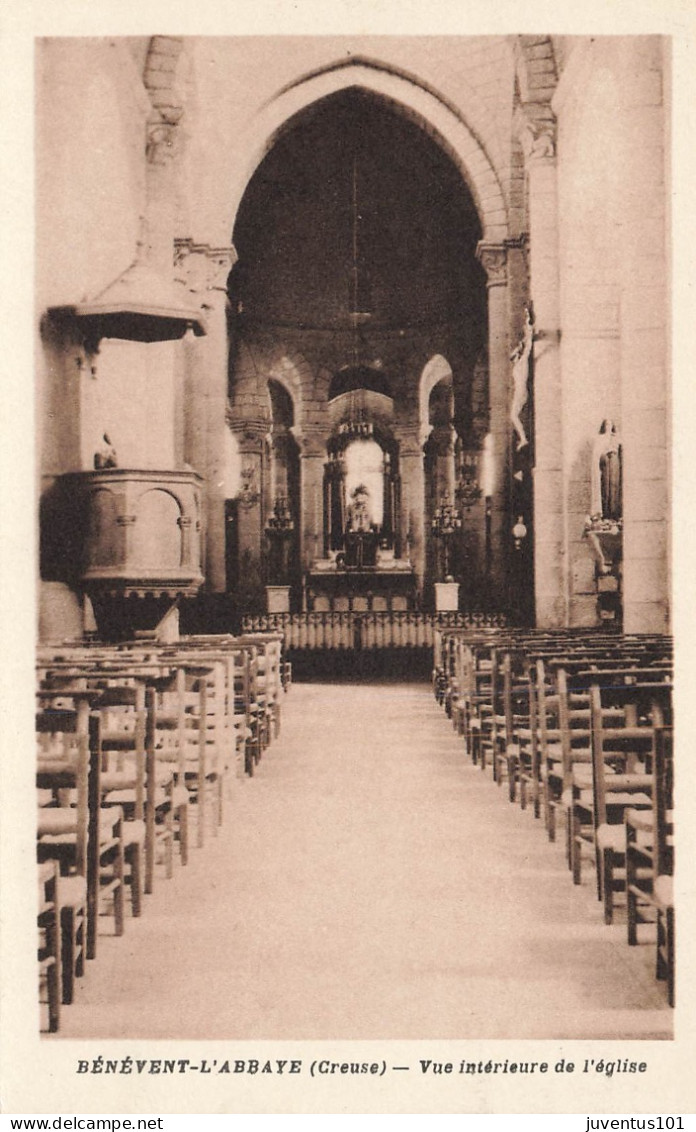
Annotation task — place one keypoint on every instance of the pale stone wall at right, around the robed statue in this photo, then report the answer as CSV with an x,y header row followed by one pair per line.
x,y
614,279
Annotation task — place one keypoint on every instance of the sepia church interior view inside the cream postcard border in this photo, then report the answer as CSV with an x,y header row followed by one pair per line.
x,y
354,415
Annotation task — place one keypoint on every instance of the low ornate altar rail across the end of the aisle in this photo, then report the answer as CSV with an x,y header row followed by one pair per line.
x,y
354,630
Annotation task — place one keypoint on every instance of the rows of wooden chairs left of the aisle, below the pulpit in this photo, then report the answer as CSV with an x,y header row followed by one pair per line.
x,y
133,741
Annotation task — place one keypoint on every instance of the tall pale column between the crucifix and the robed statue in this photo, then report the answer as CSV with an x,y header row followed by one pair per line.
x,y
537,127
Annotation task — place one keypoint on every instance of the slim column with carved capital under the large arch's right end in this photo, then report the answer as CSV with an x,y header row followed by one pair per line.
x,y
494,261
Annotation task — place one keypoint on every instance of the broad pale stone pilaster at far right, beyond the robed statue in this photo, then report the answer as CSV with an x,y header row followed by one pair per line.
x,y
645,339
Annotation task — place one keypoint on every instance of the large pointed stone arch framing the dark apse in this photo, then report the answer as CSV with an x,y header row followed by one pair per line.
x,y
408,98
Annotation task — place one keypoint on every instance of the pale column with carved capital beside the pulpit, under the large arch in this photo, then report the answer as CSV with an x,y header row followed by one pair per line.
x,y
204,271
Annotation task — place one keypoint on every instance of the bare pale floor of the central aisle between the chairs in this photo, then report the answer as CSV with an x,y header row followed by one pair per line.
x,y
371,884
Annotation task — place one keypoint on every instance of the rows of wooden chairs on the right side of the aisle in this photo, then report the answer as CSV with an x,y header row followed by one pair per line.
x,y
580,728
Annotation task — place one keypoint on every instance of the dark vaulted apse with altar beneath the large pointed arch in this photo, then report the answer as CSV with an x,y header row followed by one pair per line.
x,y
357,241
